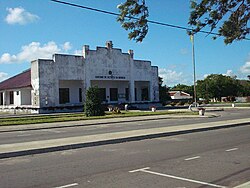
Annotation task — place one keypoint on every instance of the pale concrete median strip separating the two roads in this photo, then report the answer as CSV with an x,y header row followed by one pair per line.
x,y
43,146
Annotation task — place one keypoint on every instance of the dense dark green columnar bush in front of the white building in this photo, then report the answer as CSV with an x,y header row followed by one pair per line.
x,y
93,104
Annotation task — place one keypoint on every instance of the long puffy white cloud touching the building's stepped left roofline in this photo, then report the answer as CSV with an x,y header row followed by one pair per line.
x,y
33,51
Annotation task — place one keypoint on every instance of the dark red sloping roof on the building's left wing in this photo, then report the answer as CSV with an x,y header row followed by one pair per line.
x,y
19,81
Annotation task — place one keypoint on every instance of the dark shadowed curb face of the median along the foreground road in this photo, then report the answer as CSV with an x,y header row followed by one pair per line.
x,y
113,141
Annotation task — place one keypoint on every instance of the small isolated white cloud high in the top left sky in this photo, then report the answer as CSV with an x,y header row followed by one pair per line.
x,y
20,16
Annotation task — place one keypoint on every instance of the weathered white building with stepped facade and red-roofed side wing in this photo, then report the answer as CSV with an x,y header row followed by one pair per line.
x,y
60,83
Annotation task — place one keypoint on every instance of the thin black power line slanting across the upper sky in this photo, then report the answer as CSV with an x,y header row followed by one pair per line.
x,y
149,21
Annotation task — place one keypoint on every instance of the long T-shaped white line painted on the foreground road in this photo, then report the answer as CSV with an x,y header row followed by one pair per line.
x,y
175,177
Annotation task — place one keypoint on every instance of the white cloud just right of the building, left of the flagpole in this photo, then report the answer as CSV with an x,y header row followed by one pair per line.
x,y
171,77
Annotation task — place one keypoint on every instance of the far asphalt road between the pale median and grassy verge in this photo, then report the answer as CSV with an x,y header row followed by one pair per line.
x,y
45,134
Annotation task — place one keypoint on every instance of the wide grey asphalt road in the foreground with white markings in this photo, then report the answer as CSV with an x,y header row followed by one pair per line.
x,y
207,159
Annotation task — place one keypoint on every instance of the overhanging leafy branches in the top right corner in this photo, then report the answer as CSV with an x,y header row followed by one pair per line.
x,y
232,16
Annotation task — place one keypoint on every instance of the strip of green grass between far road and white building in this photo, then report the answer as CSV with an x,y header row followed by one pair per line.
x,y
79,116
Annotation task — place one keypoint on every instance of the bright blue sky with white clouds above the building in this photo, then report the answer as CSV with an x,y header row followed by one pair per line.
x,y
36,29
